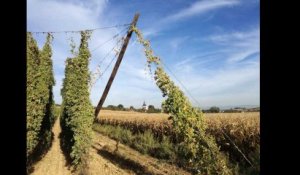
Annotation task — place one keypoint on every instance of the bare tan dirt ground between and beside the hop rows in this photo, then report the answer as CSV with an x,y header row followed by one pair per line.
x,y
105,159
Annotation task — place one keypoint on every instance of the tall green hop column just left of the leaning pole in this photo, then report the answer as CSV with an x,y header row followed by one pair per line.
x,y
77,110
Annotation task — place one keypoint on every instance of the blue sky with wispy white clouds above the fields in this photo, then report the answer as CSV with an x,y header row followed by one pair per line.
x,y
210,46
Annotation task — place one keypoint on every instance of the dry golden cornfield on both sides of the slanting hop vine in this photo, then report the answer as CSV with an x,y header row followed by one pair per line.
x,y
237,134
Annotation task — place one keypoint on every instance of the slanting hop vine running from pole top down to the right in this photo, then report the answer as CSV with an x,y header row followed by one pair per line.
x,y
196,150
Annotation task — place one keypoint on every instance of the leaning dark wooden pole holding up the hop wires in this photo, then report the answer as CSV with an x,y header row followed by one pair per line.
x,y
116,67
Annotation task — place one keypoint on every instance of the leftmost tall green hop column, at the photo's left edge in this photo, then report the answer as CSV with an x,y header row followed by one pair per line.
x,y
39,97
